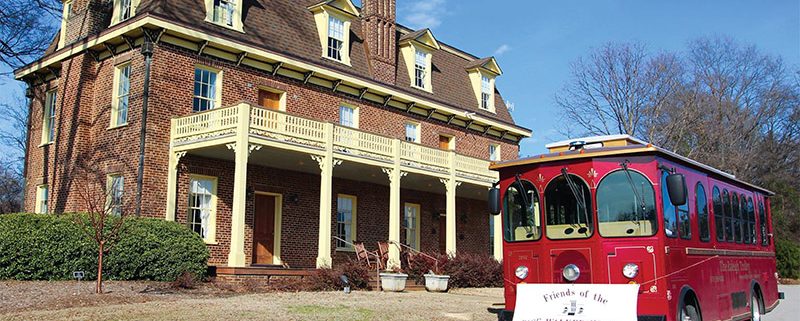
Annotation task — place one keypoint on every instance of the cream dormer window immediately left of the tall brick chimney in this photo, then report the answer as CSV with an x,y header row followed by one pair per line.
x,y
333,25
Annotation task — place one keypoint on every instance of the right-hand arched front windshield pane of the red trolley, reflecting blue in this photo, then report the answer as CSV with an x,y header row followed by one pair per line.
x,y
626,205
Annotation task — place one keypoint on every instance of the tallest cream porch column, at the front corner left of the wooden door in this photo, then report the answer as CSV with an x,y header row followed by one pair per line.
x,y
241,148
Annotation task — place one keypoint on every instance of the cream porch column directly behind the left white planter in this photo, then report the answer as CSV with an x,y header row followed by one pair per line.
x,y
395,175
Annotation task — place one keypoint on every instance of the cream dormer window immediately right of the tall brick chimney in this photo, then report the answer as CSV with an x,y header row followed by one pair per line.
x,y
417,49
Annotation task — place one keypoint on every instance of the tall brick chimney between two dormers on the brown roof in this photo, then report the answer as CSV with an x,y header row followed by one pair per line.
x,y
380,33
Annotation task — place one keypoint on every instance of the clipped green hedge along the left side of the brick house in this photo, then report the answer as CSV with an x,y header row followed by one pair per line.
x,y
51,247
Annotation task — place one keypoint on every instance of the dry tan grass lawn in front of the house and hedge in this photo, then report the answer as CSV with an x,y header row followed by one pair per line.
x,y
157,301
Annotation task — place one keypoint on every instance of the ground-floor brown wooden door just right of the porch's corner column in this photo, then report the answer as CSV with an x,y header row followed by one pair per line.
x,y
264,230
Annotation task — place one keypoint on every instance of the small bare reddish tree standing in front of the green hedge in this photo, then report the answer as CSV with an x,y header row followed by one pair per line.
x,y
106,212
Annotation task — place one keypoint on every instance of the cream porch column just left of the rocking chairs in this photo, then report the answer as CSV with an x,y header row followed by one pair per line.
x,y
326,165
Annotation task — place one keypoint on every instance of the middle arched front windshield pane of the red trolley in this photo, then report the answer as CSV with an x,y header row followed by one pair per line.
x,y
567,218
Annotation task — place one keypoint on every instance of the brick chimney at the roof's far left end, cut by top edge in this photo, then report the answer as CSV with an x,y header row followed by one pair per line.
x,y
88,17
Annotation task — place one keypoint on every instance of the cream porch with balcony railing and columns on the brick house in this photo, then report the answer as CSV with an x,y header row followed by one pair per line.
x,y
252,139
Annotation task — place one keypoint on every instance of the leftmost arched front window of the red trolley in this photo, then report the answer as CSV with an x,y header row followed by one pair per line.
x,y
522,224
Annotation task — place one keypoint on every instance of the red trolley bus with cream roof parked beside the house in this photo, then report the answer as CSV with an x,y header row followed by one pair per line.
x,y
616,210
